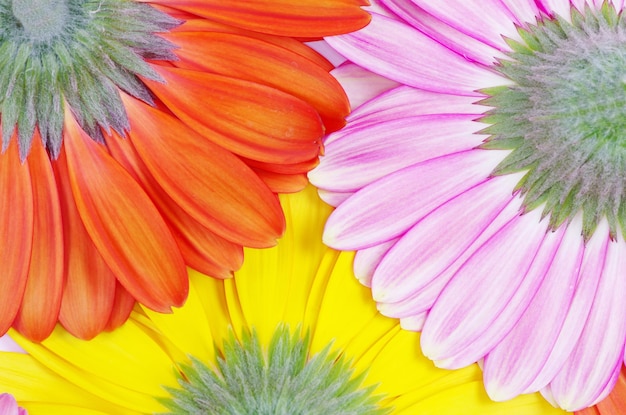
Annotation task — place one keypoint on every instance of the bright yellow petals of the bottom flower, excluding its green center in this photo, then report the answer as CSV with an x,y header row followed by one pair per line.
x,y
299,283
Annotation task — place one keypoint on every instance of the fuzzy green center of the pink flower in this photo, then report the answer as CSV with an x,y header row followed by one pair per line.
x,y
564,117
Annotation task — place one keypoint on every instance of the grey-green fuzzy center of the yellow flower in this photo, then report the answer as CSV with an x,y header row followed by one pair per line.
x,y
282,381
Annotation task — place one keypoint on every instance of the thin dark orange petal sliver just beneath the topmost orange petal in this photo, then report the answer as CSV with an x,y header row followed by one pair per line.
x,y
202,25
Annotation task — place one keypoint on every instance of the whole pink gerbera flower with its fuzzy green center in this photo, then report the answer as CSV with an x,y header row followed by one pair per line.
x,y
485,193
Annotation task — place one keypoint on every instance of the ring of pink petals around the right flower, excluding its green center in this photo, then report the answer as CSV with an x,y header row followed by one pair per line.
x,y
447,243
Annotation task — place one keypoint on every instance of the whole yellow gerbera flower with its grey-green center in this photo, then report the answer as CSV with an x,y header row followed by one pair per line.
x,y
293,332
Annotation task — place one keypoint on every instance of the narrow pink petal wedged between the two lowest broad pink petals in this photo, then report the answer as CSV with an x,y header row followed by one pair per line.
x,y
586,287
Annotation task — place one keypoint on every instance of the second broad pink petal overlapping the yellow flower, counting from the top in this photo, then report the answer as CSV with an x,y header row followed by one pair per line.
x,y
438,240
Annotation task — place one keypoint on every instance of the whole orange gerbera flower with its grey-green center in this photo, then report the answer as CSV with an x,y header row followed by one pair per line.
x,y
139,139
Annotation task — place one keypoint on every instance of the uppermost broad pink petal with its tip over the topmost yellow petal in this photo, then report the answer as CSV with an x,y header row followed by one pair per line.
x,y
388,207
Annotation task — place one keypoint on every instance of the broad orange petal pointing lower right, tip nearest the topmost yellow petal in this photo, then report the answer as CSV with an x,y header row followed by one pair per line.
x,y
209,183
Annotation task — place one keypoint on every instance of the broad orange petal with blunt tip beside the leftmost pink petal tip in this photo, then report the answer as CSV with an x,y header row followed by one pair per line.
x,y
252,120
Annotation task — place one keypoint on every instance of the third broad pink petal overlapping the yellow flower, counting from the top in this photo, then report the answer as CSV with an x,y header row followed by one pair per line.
x,y
481,290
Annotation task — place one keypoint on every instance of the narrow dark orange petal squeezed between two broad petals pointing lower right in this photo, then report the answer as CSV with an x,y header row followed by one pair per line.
x,y
202,249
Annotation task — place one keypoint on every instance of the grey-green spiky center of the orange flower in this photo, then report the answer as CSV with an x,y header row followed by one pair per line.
x,y
79,53
